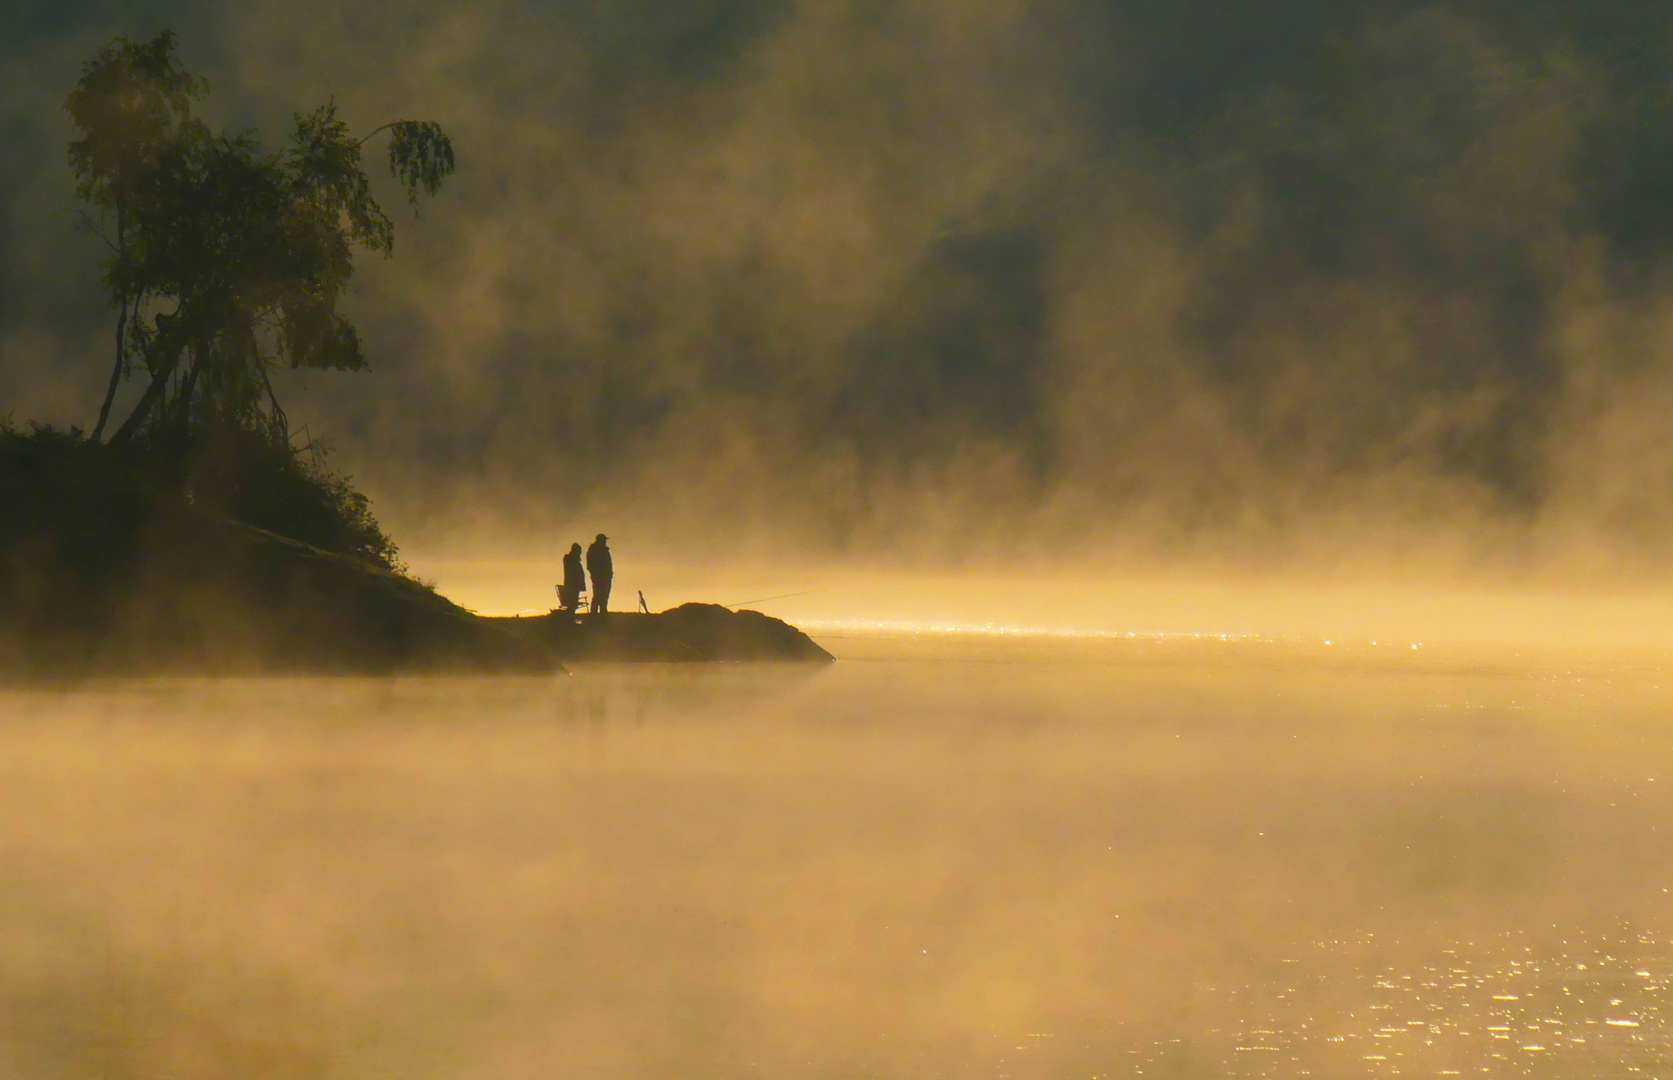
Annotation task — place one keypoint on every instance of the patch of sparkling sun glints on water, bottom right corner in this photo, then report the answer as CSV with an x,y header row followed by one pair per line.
x,y
1488,1007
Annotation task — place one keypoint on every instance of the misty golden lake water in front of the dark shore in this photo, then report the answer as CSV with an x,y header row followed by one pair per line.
x,y
936,858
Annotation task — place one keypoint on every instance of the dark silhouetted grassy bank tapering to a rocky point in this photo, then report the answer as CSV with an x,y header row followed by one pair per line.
x,y
113,566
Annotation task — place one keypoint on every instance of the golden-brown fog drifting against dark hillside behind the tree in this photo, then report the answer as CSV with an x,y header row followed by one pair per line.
x,y
1128,283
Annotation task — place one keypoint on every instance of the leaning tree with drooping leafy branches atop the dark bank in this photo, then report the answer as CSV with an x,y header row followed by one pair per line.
x,y
227,260
